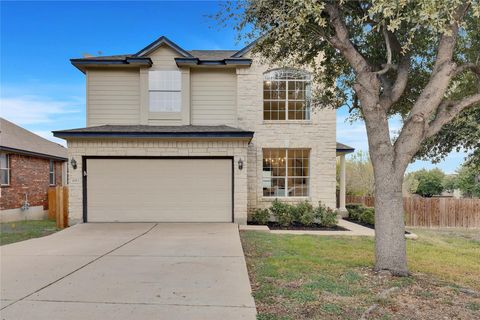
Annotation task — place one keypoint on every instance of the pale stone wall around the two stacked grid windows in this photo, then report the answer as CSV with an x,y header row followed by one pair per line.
x,y
318,135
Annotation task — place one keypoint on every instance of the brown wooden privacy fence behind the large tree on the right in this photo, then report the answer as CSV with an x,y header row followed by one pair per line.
x,y
434,212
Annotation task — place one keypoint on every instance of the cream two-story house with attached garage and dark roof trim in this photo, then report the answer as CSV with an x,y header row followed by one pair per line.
x,y
196,136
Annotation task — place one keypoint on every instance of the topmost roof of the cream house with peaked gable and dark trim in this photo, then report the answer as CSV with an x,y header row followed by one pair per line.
x,y
187,58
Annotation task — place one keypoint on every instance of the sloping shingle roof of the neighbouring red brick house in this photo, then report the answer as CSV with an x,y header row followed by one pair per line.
x,y
18,140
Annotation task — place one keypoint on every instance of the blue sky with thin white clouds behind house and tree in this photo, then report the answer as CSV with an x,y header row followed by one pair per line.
x,y
41,91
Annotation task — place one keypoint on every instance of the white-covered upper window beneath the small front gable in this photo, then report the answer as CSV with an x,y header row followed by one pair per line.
x,y
165,91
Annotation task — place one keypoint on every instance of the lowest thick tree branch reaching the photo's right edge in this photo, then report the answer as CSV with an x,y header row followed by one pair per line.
x,y
447,111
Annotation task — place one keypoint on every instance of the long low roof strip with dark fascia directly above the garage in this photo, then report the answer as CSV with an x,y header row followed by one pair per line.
x,y
147,131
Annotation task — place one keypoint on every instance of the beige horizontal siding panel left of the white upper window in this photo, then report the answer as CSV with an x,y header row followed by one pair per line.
x,y
113,96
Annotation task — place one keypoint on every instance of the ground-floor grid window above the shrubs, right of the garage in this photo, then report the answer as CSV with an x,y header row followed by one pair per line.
x,y
286,172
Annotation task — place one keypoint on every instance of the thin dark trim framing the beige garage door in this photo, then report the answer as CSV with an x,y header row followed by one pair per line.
x,y
85,174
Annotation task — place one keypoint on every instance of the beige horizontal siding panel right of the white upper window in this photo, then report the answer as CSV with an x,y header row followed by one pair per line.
x,y
213,97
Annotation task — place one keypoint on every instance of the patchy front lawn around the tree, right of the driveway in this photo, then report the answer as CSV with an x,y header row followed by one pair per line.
x,y
327,277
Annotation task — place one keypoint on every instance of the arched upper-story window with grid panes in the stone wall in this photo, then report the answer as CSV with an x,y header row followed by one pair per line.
x,y
286,95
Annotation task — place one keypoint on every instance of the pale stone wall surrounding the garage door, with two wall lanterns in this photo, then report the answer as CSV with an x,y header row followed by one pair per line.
x,y
154,147
